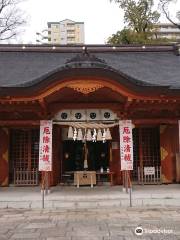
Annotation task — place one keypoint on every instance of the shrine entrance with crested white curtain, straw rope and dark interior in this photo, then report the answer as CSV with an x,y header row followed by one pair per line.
x,y
86,142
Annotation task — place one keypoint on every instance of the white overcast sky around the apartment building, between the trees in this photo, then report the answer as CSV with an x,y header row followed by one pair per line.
x,y
101,18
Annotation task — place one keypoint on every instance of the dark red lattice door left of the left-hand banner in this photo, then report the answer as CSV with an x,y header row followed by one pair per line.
x,y
24,152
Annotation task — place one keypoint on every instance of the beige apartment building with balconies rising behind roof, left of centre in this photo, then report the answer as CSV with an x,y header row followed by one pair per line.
x,y
66,32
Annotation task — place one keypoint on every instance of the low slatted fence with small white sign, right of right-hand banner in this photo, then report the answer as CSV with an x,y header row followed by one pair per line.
x,y
151,178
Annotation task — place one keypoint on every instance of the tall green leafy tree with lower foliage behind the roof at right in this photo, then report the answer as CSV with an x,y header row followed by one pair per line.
x,y
140,20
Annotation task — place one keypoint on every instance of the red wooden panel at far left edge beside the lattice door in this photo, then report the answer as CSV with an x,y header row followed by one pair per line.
x,y
4,165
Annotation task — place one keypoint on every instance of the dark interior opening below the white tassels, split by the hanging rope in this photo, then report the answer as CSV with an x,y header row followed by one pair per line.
x,y
74,155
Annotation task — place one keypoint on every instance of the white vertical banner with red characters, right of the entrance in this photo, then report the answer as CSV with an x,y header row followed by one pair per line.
x,y
126,144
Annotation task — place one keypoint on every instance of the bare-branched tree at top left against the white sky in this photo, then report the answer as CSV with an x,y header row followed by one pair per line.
x,y
11,18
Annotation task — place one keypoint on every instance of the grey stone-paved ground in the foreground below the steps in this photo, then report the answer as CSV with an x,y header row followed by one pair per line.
x,y
90,224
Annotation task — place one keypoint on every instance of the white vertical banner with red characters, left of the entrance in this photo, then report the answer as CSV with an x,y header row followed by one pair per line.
x,y
45,146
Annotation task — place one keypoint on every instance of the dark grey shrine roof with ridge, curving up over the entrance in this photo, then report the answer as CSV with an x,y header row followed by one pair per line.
x,y
23,66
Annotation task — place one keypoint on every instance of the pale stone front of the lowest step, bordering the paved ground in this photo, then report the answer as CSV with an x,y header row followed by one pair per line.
x,y
53,204
